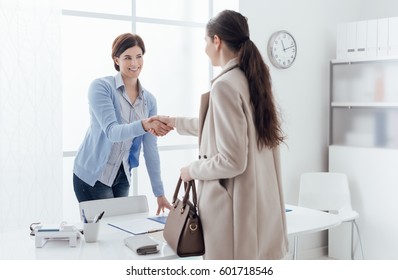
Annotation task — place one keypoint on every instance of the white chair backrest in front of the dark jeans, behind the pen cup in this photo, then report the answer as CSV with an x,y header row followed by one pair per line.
x,y
114,206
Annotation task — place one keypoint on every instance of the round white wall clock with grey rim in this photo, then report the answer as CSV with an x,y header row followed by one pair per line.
x,y
282,49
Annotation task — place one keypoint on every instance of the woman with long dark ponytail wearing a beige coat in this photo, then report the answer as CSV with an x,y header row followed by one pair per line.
x,y
238,170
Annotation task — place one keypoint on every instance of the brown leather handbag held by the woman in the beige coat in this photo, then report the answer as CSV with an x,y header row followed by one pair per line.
x,y
183,229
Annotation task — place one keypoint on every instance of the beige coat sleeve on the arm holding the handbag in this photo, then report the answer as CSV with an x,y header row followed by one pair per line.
x,y
231,140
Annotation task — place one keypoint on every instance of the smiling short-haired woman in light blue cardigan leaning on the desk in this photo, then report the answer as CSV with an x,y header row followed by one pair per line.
x,y
120,114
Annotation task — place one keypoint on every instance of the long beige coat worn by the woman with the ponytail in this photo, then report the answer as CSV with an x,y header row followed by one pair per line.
x,y
240,192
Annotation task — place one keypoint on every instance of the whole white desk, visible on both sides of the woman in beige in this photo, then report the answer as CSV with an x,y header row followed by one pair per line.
x,y
19,245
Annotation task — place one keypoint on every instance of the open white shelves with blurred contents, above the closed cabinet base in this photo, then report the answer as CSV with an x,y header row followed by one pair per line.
x,y
364,103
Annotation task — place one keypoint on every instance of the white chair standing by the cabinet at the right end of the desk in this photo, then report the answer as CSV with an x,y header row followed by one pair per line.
x,y
330,192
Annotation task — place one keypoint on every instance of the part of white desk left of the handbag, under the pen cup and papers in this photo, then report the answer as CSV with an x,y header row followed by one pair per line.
x,y
110,246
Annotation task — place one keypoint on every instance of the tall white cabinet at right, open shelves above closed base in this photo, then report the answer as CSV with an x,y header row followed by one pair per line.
x,y
364,145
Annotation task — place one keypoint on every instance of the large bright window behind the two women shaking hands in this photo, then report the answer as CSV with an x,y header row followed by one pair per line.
x,y
176,71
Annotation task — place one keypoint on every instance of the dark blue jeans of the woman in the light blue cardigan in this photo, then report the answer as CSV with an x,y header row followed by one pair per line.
x,y
84,191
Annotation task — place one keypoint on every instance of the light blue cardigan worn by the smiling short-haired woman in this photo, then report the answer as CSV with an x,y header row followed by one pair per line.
x,y
106,127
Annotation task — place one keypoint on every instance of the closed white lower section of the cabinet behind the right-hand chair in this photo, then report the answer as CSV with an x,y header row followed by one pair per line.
x,y
373,180
